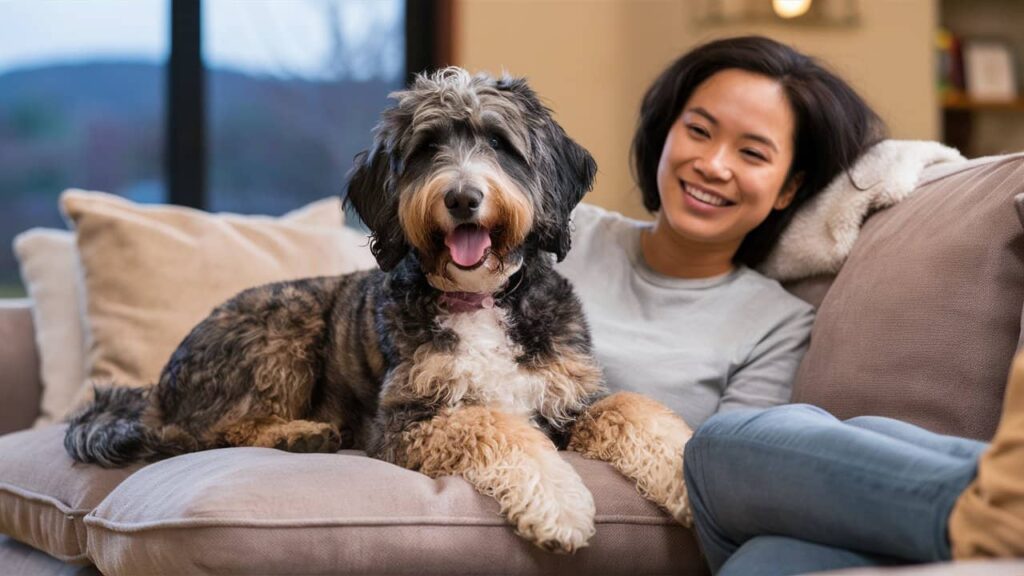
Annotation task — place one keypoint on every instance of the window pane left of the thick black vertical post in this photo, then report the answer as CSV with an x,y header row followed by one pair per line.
x,y
81,105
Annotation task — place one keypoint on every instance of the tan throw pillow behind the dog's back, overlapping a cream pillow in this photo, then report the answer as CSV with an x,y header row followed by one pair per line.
x,y
153,272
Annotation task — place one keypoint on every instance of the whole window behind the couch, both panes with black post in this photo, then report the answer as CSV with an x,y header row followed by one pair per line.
x,y
280,98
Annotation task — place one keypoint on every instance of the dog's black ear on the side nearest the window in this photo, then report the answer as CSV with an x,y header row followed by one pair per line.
x,y
372,192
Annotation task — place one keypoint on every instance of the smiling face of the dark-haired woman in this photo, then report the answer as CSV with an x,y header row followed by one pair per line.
x,y
724,164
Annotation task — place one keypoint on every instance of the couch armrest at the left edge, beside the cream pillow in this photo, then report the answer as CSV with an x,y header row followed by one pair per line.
x,y
20,386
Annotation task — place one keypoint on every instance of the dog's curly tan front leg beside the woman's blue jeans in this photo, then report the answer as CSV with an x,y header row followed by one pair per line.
x,y
645,441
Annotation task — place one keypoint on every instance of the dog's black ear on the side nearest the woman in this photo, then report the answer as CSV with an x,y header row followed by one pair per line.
x,y
568,175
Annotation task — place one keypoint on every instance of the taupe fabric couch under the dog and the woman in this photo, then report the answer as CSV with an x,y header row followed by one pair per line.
x,y
921,323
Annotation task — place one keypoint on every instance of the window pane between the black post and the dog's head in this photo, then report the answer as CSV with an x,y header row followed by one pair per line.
x,y
293,92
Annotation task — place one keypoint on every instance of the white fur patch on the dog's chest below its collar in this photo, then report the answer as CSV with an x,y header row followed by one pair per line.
x,y
484,368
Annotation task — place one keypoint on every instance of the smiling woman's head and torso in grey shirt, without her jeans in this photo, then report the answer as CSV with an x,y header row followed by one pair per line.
x,y
734,139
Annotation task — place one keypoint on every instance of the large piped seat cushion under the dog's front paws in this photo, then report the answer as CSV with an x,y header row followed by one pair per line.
x,y
245,511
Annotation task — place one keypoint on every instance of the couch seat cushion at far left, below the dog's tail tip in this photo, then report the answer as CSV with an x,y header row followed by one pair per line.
x,y
45,495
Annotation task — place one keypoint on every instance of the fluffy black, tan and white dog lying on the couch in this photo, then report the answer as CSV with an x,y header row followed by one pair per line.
x,y
464,354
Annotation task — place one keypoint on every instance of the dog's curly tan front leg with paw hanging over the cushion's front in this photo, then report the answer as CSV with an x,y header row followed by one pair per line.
x,y
508,460
